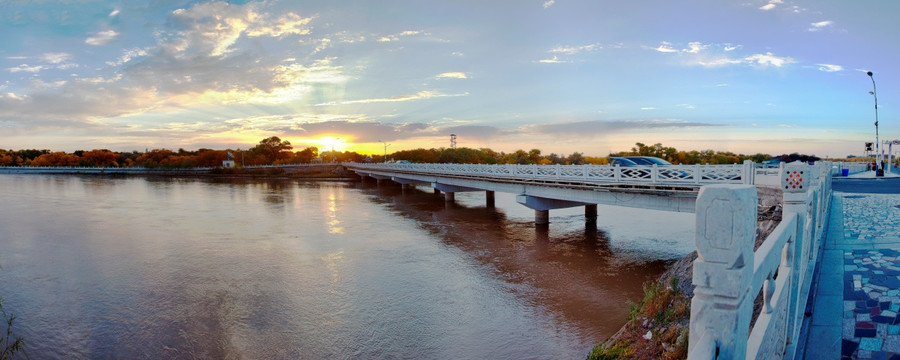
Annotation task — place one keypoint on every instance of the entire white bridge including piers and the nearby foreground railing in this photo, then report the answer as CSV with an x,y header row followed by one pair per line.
x,y
728,273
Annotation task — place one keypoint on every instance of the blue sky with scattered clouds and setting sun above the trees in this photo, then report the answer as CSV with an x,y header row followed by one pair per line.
x,y
562,76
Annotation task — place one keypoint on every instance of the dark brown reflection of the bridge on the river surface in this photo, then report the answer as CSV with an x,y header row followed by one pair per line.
x,y
567,267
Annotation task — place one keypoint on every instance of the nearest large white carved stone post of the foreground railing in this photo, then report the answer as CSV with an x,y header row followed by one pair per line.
x,y
722,305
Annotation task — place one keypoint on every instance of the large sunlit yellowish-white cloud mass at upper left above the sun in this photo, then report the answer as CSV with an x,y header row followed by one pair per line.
x,y
193,63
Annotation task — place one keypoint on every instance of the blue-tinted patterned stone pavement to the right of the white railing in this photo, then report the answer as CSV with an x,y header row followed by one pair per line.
x,y
855,314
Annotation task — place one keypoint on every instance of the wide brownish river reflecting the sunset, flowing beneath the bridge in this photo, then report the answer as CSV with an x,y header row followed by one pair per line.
x,y
144,267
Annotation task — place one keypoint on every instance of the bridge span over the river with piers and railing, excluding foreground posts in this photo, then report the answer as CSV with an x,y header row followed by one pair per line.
x,y
547,187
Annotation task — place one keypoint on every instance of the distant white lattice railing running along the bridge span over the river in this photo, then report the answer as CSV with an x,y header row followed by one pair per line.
x,y
674,174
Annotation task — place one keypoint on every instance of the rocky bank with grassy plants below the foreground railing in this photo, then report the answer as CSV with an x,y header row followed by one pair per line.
x,y
657,326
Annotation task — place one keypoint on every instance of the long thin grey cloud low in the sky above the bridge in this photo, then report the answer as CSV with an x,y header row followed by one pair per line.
x,y
599,127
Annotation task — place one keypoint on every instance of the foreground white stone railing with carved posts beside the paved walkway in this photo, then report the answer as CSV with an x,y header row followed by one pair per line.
x,y
729,274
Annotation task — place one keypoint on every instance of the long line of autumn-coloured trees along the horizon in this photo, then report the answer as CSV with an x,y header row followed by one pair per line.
x,y
275,151
